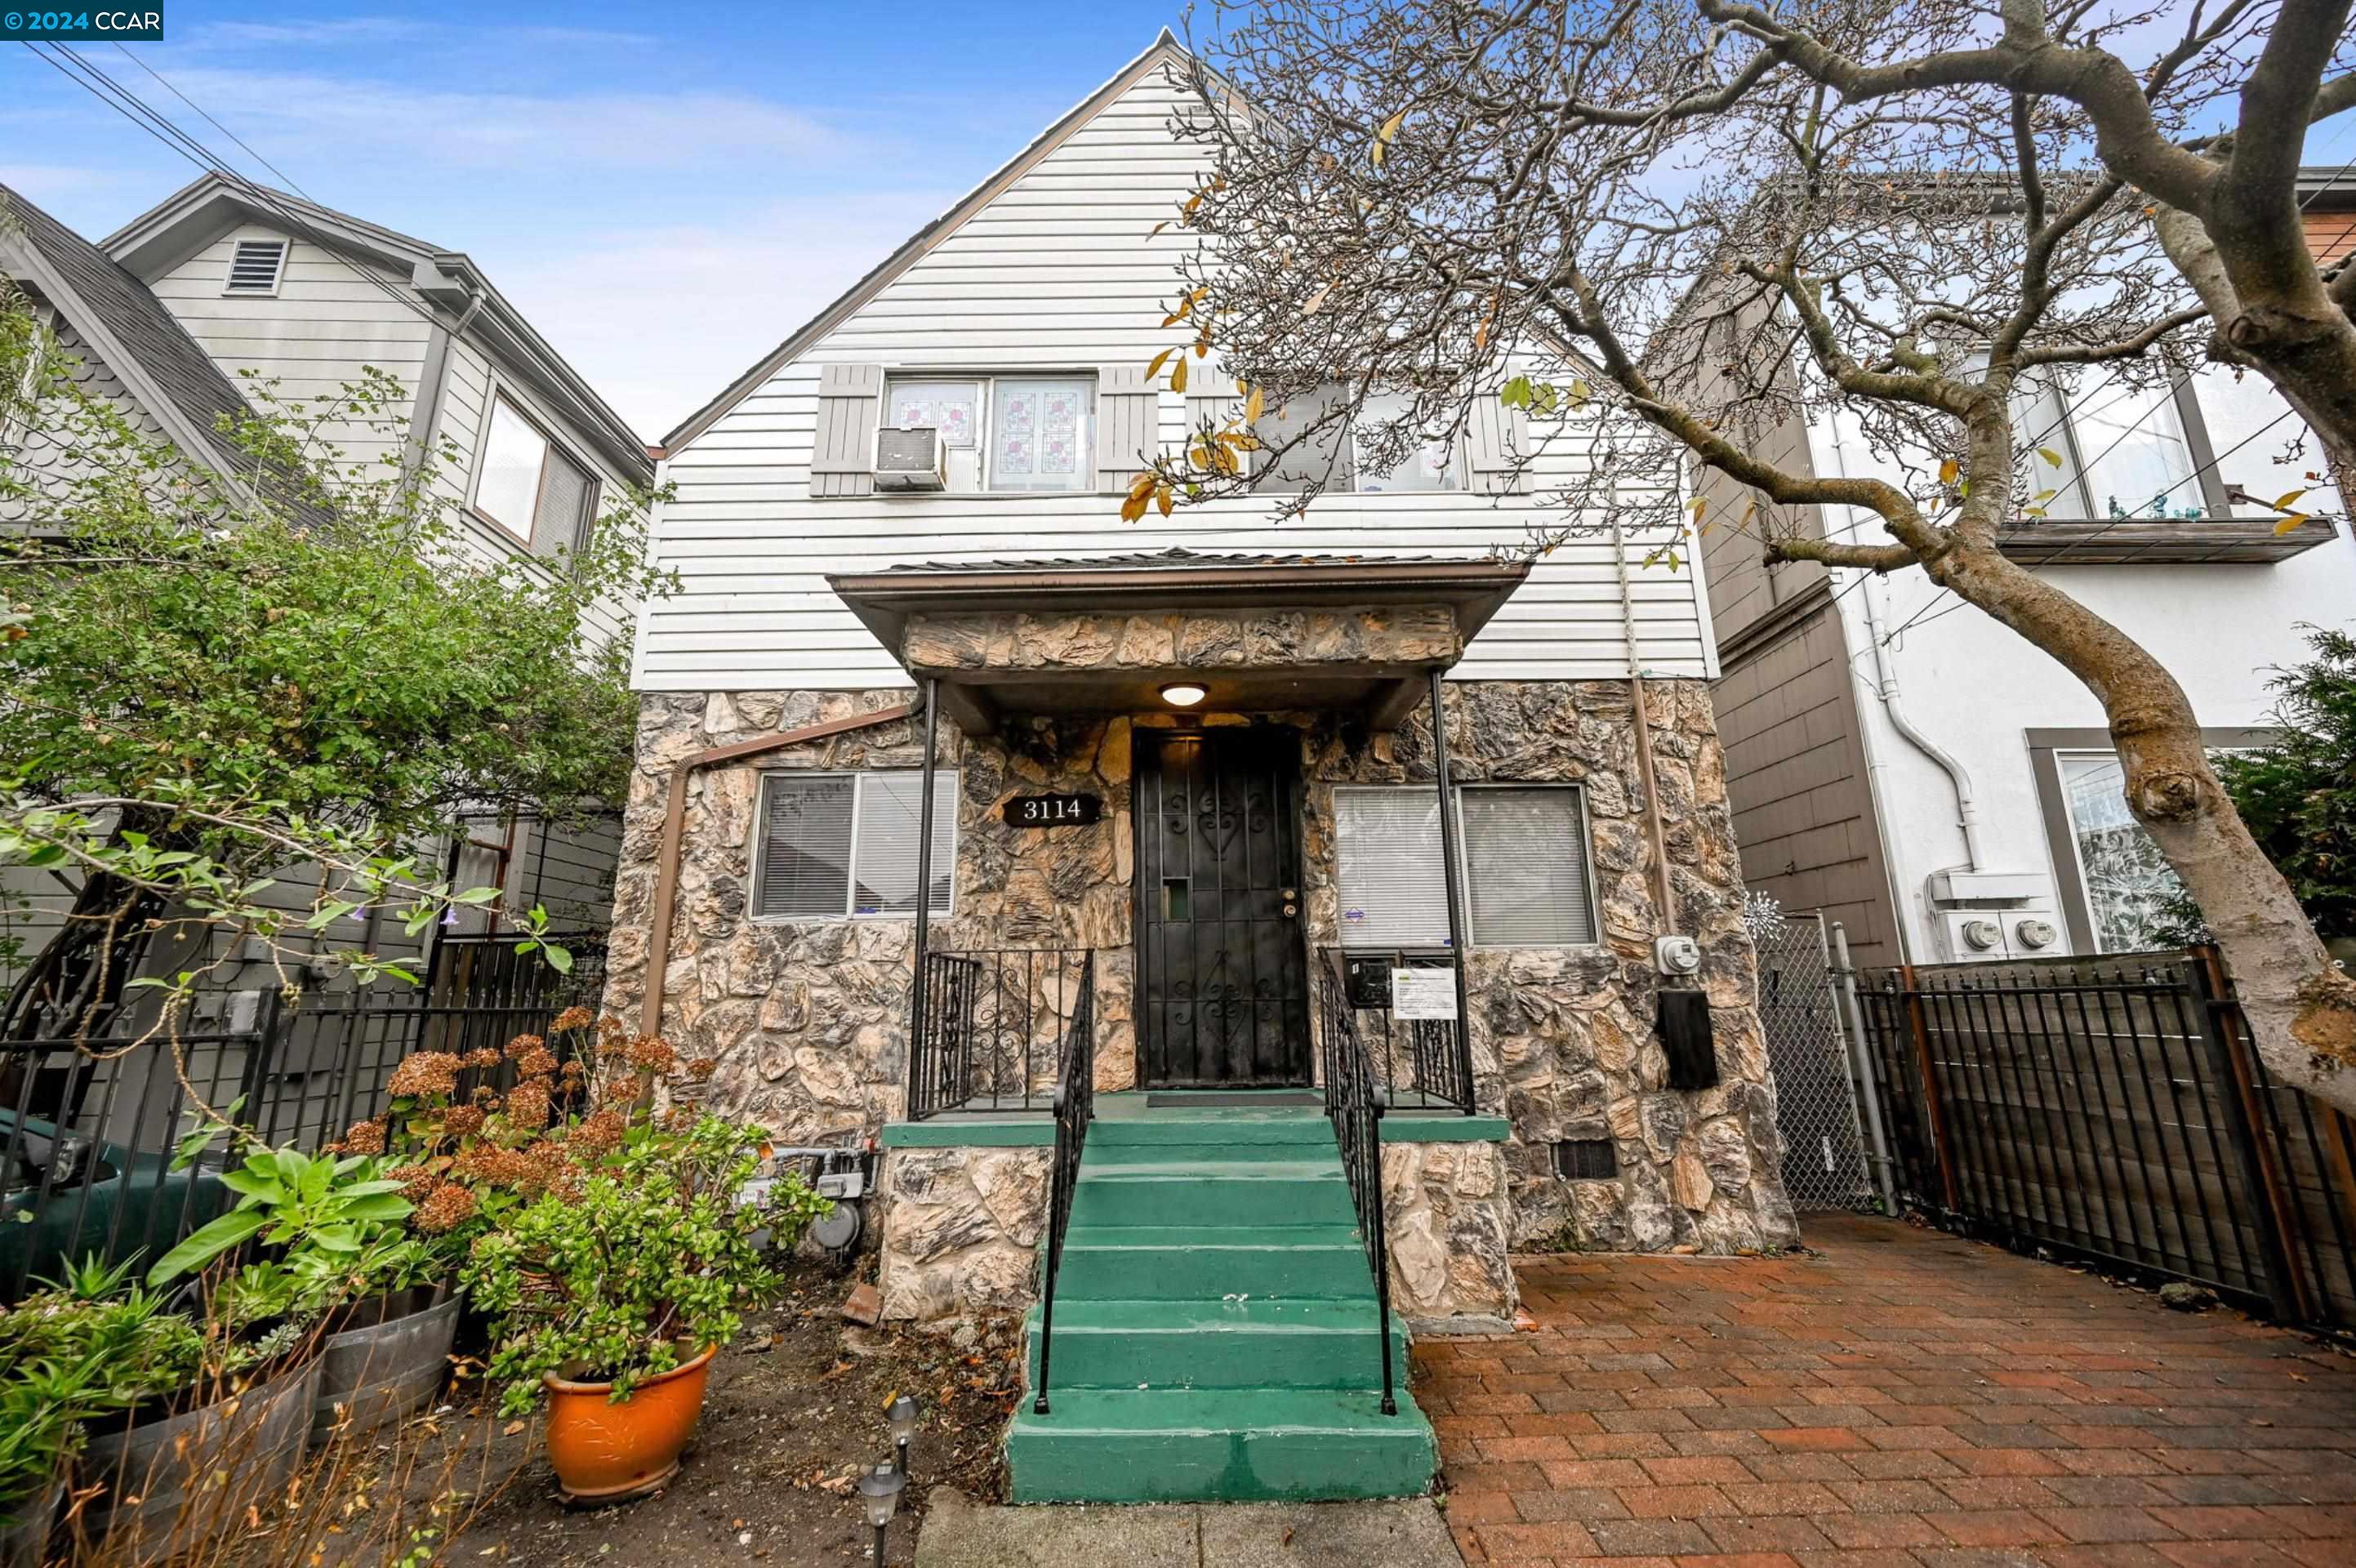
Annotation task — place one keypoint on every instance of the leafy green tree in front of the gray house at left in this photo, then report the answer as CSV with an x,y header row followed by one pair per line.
x,y
305,663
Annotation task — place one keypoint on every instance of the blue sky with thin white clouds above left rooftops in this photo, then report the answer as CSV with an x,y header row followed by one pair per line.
x,y
666,192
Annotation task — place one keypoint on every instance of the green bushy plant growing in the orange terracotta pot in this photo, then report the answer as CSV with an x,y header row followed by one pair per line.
x,y
633,1273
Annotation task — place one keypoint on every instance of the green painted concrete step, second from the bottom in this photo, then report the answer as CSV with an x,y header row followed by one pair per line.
x,y
1217,1346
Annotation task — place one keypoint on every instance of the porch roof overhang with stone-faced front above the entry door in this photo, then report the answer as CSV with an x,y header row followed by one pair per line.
x,y
1104,637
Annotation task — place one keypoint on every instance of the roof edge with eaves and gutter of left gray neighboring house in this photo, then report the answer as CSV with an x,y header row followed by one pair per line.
x,y
216,204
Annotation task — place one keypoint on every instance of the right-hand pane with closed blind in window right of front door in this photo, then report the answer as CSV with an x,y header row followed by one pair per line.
x,y
1526,868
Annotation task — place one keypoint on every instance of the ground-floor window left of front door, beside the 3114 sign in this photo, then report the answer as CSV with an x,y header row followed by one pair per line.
x,y
845,844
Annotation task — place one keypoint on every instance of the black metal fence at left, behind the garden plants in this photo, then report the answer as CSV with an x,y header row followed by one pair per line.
x,y
88,1127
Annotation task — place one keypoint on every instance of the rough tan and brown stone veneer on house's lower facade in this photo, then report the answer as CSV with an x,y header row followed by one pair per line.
x,y
809,1021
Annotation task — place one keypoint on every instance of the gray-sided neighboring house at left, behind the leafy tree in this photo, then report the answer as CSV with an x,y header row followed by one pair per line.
x,y
185,307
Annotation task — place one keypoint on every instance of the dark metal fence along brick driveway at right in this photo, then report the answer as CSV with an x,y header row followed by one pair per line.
x,y
2112,1110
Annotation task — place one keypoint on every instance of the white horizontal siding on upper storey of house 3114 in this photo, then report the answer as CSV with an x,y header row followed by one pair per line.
x,y
1061,272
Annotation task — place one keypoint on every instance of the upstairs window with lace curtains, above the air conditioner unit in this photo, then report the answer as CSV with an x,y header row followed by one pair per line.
x,y
1007,434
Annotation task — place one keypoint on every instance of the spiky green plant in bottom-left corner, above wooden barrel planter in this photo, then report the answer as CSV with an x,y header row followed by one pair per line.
x,y
79,1350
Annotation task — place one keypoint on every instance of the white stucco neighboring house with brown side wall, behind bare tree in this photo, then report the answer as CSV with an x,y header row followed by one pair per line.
x,y
1855,710
